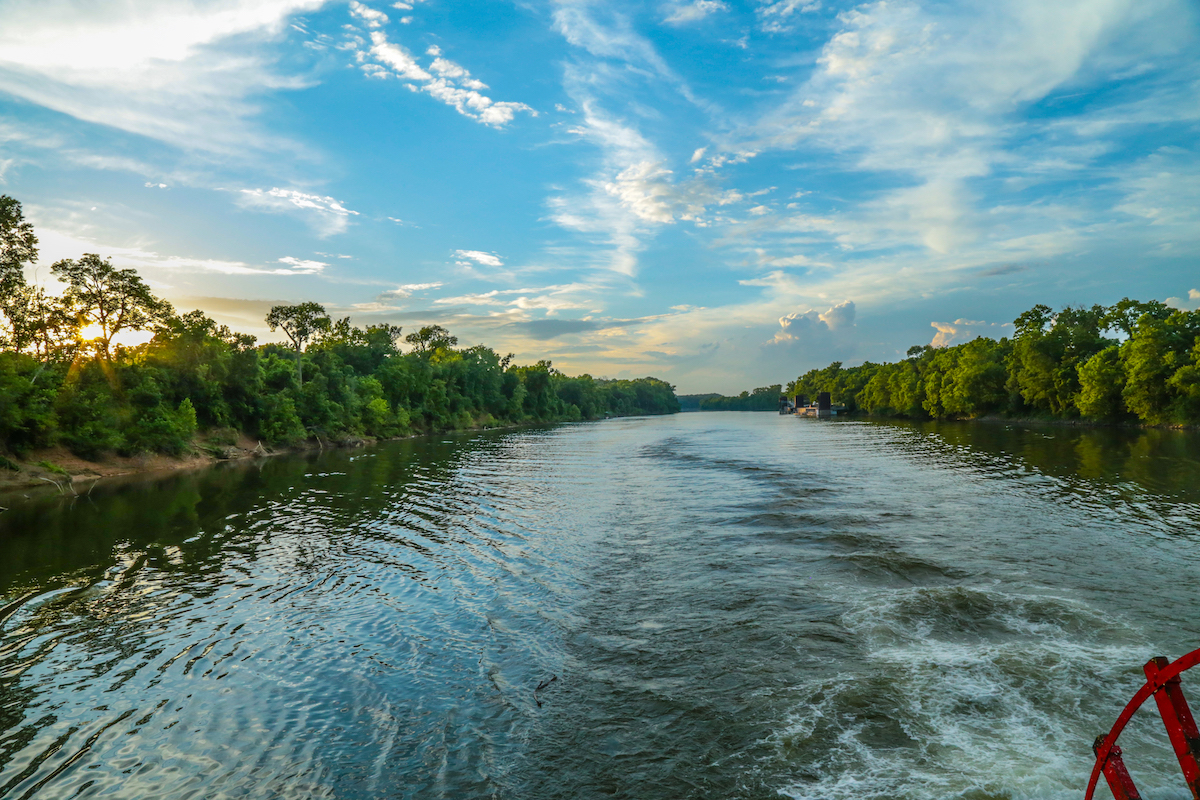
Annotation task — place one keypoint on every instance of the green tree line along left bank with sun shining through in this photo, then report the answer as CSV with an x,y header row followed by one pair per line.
x,y
65,381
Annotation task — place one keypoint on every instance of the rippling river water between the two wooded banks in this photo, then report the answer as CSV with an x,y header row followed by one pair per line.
x,y
734,606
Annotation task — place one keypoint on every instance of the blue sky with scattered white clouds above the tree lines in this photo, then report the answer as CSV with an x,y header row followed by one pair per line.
x,y
723,195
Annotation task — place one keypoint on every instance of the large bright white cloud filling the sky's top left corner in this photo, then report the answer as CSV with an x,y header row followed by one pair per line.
x,y
154,68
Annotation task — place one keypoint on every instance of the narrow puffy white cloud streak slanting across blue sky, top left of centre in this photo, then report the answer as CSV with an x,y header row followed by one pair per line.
x,y
445,80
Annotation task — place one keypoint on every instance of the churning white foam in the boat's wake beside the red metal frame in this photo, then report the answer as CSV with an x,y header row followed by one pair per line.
x,y
973,694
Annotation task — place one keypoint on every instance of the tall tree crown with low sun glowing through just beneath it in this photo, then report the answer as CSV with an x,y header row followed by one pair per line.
x,y
116,300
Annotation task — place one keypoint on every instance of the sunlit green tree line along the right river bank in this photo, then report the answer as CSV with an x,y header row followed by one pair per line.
x,y
1130,363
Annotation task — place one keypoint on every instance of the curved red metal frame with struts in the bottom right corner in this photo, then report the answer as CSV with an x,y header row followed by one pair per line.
x,y
1162,682
